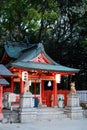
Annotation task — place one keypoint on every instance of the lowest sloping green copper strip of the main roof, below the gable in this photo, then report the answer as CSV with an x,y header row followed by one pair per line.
x,y
46,67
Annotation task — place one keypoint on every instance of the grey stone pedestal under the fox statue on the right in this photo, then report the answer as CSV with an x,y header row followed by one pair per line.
x,y
73,109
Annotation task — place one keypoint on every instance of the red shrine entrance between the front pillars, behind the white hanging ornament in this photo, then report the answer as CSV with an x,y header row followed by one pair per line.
x,y
43,93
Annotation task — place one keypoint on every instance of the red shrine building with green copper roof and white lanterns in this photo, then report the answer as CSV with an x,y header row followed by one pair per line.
x,y
30,62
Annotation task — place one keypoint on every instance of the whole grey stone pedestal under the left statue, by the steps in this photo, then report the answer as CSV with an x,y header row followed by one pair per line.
x,y
26,112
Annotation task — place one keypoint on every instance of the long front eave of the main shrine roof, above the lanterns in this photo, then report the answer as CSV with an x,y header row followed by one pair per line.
x,y
53,68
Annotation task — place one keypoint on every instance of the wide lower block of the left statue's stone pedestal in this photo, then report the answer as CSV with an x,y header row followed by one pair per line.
x,y
27,115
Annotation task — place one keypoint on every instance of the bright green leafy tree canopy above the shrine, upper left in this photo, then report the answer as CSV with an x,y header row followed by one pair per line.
x,y
26,17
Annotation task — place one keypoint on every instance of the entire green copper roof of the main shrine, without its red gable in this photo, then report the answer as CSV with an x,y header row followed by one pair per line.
x,y
26,53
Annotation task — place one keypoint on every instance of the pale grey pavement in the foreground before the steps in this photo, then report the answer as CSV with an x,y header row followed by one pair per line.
x,y
64,124
